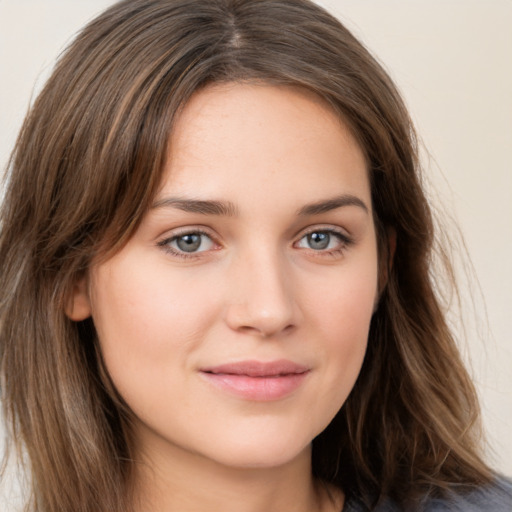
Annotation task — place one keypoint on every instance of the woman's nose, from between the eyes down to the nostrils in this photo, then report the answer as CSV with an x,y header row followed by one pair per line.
x,y
261,300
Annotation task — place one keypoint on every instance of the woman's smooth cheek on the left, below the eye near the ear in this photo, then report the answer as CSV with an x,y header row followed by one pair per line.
x,y
148,321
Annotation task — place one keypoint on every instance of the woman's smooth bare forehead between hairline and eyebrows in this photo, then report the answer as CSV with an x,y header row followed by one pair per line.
x,y
248,140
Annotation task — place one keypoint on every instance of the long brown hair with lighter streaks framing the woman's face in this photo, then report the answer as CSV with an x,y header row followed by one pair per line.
x,y
84,170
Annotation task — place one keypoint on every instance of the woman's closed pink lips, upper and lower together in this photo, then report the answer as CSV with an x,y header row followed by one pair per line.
x,y
256,380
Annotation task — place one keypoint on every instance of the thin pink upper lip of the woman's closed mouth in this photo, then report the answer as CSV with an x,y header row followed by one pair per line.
x,y
257,368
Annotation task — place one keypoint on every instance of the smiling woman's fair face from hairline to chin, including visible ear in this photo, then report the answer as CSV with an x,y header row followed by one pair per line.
x,y
235,321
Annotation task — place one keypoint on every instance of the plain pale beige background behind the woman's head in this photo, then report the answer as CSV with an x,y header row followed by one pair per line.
x,y
453,61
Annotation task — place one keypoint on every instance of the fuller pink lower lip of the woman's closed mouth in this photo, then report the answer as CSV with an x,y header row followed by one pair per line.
x,y
260,389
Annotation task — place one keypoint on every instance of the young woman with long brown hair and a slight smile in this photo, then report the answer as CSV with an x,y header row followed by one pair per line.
x,y
216,276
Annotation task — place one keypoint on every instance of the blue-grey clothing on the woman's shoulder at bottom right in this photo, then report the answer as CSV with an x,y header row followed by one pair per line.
x,y
495,497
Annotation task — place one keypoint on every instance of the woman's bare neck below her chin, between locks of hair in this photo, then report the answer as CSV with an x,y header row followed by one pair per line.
x,y
188,482
